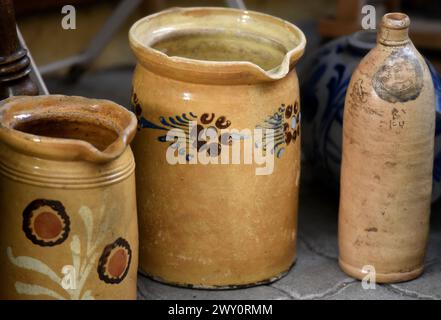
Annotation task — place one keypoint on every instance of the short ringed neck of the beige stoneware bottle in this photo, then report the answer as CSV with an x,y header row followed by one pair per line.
x,y
394,30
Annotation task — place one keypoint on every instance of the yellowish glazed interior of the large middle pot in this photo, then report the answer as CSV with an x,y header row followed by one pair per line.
x,y
222,46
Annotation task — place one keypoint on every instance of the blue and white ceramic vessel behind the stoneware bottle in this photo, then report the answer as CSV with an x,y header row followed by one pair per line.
x,y
326,76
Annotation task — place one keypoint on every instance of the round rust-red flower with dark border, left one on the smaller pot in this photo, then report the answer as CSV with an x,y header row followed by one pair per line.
x,y
46,223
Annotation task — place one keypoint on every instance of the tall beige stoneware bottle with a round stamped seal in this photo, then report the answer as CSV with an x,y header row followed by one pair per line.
x,y
388,136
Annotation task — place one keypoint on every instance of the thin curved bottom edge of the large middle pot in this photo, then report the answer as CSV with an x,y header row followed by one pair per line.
x,y
220,287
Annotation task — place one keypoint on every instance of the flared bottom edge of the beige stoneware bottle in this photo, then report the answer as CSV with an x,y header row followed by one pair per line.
x,y
357,273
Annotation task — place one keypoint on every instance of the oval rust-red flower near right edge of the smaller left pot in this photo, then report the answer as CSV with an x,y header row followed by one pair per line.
x,y
114,262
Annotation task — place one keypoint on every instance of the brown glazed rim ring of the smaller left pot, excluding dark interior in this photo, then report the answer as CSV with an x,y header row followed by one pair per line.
x,y
65,149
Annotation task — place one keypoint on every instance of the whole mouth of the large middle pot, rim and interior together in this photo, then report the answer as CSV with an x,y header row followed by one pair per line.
x,y
217,45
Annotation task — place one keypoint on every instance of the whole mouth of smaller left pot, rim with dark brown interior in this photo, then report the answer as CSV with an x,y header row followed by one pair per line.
x,y
66,127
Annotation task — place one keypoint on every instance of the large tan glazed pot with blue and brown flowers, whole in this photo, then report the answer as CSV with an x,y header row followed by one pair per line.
x,y
212,70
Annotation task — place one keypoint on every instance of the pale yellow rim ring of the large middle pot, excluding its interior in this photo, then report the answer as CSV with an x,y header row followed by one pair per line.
x,y
213,72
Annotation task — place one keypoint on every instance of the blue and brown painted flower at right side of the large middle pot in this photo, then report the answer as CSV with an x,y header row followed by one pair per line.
x,y
286,125
